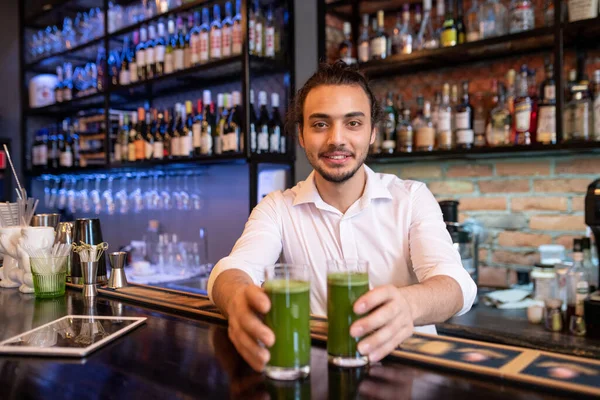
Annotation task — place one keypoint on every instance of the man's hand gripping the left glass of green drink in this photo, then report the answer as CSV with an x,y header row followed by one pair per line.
x,y
246,329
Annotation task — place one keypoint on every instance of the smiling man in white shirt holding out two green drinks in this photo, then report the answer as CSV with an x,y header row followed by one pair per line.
x,y
344,210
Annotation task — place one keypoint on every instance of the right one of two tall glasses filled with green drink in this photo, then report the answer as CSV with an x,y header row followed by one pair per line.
x,y
347,280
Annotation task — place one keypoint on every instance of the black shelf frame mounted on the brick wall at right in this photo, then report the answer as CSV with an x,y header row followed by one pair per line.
x,y
558,38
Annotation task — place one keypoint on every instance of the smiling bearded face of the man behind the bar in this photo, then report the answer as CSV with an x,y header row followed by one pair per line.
x,y
337,130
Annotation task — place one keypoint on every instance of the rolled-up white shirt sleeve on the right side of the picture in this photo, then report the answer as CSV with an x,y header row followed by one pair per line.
x,y
431,250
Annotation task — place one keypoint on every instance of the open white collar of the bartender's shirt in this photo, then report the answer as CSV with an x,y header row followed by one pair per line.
x,y
306,192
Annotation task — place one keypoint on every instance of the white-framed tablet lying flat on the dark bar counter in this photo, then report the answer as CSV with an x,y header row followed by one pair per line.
x,y
70,336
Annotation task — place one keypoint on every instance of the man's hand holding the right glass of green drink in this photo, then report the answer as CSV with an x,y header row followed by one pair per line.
x,y
389,323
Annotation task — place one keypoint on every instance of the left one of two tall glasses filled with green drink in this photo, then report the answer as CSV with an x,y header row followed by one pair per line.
x,y
288,288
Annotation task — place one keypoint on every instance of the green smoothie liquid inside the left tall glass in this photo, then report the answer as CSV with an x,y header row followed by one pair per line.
x,y
289,319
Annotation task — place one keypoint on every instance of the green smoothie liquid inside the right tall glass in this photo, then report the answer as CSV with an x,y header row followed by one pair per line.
x,y
343,289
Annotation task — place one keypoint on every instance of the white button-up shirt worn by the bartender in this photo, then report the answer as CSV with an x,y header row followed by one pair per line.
x,y
396,225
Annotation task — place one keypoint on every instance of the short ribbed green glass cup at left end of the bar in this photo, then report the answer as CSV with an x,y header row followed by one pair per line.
x,y
49,276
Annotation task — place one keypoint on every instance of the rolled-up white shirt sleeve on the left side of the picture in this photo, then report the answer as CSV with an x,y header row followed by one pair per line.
x,y
260,244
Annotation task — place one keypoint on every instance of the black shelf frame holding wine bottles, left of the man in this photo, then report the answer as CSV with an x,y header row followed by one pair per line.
x,y
241,68
